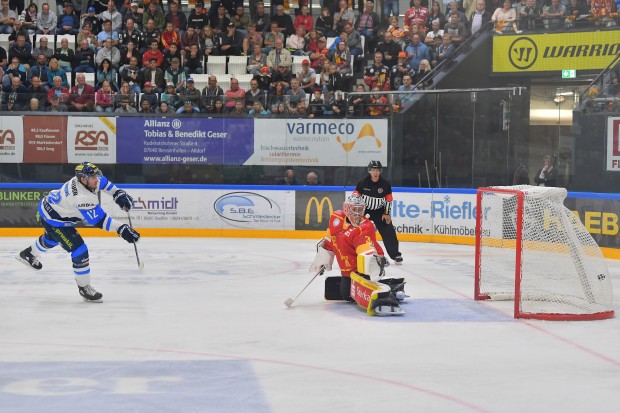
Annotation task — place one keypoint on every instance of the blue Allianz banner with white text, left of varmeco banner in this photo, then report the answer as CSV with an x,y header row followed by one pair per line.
x,y
184,140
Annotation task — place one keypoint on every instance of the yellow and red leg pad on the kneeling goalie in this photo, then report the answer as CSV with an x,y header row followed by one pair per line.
x,y
377,299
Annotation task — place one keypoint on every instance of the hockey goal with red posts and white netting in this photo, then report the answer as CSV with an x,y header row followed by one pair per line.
x,y
532,249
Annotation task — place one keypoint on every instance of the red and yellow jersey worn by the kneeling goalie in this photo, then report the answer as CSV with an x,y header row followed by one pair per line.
x,y
348,241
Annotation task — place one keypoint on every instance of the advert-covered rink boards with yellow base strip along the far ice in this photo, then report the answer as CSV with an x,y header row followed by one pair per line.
x,y
441,215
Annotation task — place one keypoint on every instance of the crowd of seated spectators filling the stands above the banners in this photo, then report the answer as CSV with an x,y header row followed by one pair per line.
x,y
144,53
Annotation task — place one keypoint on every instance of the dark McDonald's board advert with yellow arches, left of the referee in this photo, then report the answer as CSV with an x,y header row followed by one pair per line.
x,y
313,208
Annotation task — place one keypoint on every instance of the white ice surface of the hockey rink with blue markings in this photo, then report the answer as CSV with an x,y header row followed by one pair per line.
x,y
204,329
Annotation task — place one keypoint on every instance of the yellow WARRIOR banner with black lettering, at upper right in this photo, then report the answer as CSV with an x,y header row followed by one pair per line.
x,y
554,52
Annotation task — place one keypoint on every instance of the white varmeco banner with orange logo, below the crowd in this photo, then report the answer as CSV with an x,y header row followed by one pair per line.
x,y
324,142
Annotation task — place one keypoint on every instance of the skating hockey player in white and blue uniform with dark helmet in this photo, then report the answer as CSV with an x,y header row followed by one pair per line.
x,y
76,201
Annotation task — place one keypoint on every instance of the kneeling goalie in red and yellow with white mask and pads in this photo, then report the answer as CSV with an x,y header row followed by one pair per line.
x,y
351,238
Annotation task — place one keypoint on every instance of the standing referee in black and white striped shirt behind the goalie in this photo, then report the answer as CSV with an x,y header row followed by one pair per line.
x,y
377,195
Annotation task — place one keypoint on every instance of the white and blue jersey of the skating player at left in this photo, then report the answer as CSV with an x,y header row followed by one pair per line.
x,y
74,203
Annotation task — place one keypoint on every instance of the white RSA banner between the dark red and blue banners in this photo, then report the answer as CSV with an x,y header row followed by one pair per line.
x,y
91,139
